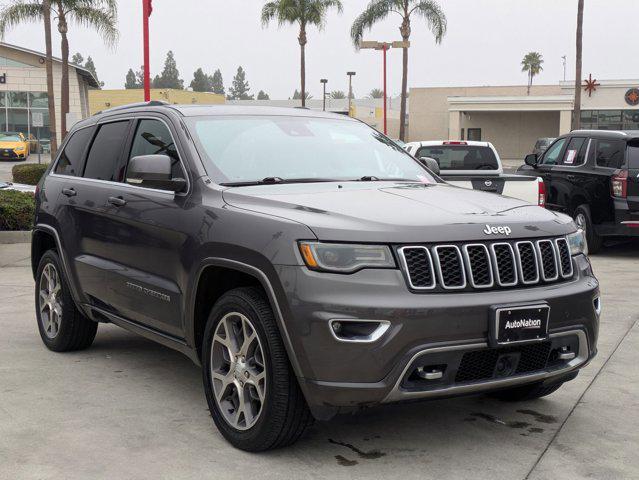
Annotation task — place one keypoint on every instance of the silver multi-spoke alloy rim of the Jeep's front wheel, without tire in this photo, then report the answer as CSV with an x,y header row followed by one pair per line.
x,y
238,371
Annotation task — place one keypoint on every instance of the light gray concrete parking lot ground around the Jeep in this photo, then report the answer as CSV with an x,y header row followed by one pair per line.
x,y
128,408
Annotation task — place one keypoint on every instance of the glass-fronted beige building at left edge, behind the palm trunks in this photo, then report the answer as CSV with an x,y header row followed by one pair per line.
x,y
23,91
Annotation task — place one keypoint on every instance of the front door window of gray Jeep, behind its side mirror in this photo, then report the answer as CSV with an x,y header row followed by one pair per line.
x,y
152,137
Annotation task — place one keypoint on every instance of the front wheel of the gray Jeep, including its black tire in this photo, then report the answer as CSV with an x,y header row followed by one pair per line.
x,y
282,415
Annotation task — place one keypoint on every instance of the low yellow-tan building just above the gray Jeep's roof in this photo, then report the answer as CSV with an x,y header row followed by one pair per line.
x,y
104,99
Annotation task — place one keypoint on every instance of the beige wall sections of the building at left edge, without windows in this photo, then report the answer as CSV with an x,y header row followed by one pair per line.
x,y
34,79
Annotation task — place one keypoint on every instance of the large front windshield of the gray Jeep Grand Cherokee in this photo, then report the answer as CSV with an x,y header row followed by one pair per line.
x,y
242,149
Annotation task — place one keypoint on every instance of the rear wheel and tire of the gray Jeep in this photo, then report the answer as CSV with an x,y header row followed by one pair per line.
x,y
68,329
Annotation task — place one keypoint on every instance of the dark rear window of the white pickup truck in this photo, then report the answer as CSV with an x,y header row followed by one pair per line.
x,y
461,157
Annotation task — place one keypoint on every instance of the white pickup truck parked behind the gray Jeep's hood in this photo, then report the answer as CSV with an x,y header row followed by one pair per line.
x,y
477,166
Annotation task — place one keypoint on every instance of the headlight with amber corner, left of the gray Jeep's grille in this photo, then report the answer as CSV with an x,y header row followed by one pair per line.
x,y
345,257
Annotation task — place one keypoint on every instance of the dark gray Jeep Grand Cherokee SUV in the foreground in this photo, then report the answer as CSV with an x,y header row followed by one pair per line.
x,y
307,262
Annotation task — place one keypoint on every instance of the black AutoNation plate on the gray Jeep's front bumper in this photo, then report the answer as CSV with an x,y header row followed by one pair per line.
x,y
520,324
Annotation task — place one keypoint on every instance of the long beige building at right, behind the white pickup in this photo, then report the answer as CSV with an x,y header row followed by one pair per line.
x,y
513,120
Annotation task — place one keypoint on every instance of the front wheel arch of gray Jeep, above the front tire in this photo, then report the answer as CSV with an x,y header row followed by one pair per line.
x,y
237,274
